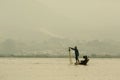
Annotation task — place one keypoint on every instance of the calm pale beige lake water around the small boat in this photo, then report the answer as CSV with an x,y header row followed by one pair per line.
x,y
58,69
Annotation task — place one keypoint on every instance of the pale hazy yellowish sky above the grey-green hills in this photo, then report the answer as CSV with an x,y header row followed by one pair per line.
x,y
75,19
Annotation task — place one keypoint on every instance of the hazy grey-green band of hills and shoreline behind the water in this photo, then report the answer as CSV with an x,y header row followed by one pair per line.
x,y
58,48
